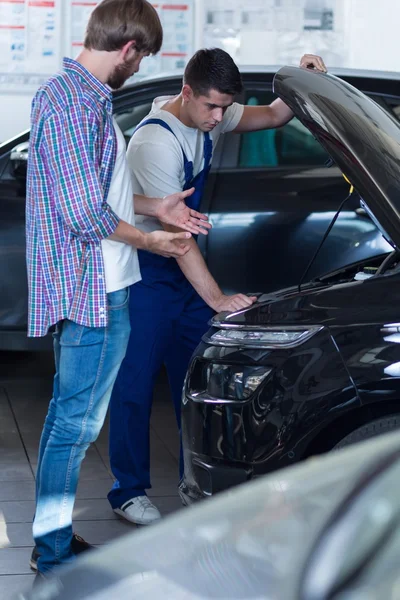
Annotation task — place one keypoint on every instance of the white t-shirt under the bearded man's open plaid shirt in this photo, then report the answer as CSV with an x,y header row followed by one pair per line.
x,y
121,263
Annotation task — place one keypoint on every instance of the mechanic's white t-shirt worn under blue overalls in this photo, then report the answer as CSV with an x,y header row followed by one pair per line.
x,y
155,155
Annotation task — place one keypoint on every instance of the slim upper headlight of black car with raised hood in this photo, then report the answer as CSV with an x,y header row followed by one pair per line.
x,y
271,337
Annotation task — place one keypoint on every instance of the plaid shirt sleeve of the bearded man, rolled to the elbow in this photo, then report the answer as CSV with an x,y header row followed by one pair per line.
x,y
69,151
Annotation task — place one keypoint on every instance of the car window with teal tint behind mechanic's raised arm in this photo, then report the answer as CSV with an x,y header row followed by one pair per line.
x,y
291,145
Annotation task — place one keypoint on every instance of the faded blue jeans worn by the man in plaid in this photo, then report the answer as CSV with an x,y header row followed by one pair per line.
x,y
87,360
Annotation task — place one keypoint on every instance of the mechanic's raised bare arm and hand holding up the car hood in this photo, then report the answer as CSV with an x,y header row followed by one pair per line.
x,y
276,114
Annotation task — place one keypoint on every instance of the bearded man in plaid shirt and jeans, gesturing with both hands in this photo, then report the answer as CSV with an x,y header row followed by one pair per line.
x,y
81,251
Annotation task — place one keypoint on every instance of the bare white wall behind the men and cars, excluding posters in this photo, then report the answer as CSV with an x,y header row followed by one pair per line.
x,y
365,36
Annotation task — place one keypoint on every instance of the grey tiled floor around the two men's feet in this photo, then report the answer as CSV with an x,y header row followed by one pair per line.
x,y
25,388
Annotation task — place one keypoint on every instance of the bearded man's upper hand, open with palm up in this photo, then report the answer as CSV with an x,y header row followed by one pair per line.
x,y
172,210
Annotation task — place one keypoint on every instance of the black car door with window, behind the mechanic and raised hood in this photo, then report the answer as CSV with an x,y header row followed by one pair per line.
x,y
273,199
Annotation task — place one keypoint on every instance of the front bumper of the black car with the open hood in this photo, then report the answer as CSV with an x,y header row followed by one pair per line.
x,y
301,397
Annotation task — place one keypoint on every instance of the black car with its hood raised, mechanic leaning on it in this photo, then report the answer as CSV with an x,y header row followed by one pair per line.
x,y
316,366
